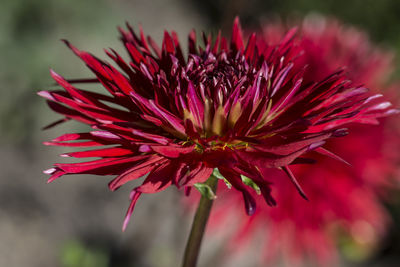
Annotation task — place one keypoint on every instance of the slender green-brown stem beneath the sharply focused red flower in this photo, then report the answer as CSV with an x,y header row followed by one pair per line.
x,y
199,225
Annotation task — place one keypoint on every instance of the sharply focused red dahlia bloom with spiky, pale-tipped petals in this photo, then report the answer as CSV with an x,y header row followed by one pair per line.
x,y
239,108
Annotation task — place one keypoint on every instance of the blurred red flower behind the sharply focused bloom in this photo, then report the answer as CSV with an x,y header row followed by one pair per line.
x,y
343,199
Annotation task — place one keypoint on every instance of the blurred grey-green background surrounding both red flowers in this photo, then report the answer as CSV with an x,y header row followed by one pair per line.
x,y
76,220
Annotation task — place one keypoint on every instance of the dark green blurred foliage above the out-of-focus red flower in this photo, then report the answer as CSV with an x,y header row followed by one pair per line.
x,y
380,18
